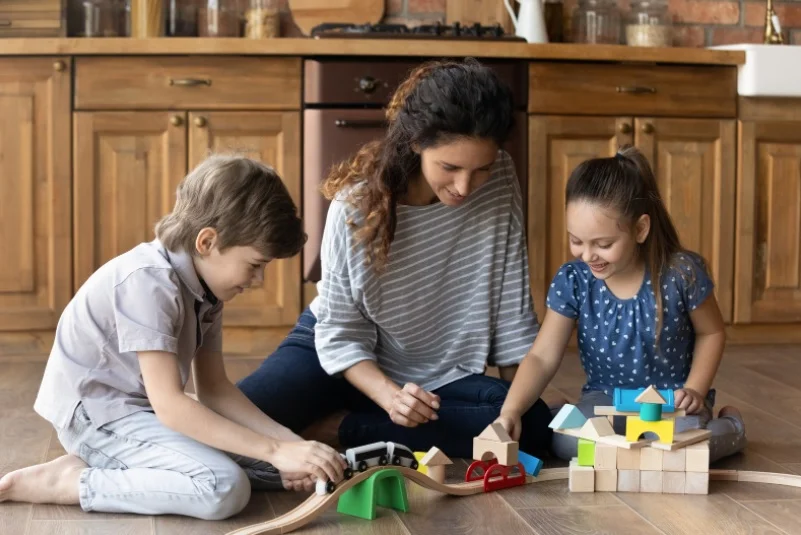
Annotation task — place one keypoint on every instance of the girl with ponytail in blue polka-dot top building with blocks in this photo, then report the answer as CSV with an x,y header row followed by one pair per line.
x,y
631,332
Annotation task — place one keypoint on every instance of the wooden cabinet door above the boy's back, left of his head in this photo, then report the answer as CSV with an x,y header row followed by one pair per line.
x,y
127,167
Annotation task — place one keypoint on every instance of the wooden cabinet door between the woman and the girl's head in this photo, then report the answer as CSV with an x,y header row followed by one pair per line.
x,y
558,144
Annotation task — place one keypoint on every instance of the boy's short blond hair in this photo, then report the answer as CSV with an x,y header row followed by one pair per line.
x,y
244,200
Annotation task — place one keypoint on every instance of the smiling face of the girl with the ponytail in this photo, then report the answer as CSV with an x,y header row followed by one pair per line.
x,y
599,239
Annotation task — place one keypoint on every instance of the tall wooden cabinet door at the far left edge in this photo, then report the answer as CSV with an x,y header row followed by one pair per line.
x,y
36,271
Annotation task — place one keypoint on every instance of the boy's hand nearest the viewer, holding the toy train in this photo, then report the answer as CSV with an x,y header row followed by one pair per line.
x,y
309,457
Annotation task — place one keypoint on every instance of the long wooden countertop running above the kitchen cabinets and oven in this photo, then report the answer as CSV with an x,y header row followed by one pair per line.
x,y
292,46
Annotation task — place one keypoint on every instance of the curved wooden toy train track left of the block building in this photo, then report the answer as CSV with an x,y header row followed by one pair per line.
x,y
315,505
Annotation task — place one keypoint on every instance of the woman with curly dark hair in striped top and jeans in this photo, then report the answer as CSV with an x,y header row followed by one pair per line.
x,y
424,281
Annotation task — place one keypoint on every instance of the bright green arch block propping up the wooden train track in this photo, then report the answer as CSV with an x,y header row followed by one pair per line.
x,y
385,488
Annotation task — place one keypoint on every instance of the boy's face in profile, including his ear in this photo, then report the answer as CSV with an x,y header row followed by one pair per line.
x,y
229,272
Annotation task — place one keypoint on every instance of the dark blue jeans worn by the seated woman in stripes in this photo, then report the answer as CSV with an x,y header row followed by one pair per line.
x,y
291,387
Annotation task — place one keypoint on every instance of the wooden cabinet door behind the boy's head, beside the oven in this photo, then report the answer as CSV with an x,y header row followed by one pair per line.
x,y
273,138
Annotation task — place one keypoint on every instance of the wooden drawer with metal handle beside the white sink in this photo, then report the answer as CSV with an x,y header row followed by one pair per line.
x,y
625,89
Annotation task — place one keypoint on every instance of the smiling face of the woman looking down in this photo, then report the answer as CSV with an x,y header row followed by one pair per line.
x,y
456,168
